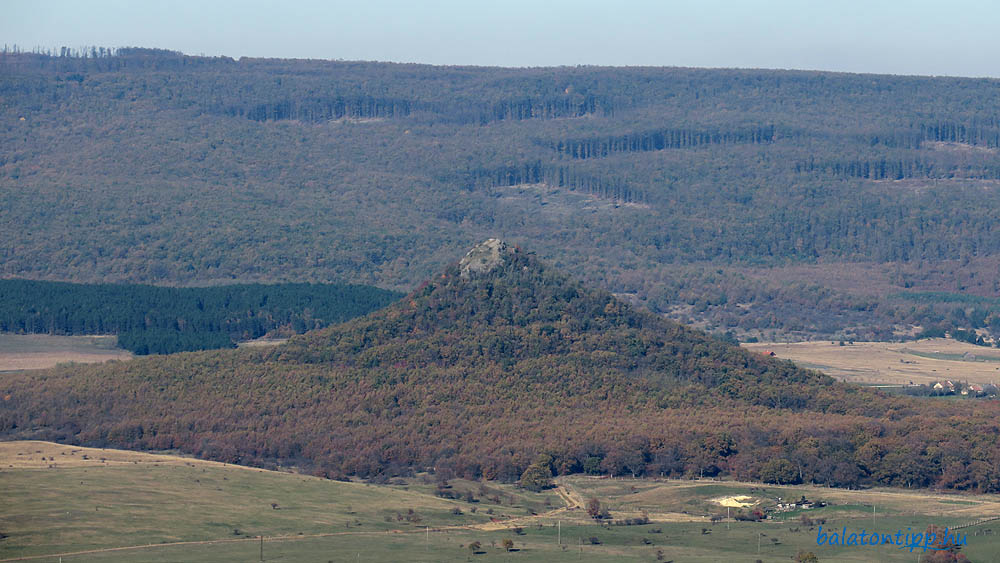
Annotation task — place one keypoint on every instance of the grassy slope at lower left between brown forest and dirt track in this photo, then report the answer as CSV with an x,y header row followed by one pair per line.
x,y
61,499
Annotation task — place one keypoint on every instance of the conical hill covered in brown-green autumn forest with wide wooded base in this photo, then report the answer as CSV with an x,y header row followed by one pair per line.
x,y
483,368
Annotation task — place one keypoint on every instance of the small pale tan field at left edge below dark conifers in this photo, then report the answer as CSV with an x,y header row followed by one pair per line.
x,y
39,351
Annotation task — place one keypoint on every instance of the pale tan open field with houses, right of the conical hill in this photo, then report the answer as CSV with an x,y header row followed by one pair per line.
x,y
921,361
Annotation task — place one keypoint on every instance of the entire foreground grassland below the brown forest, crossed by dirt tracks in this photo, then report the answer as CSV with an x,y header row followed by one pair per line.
x,y
82,504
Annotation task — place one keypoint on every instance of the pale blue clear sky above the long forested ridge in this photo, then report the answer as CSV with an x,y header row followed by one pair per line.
x,y
947,37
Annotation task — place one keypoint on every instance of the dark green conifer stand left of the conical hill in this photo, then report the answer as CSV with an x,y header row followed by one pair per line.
x,y
162,320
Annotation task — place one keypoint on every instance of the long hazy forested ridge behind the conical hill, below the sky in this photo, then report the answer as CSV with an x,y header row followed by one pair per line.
x,y
736,199
